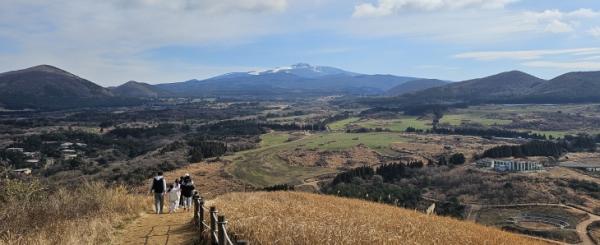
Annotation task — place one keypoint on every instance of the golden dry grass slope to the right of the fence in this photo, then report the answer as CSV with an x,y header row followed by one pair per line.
x,y
302,218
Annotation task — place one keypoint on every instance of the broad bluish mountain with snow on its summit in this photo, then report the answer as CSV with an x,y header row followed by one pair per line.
x,y
296,79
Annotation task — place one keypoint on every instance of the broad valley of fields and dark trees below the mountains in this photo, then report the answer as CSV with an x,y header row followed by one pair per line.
x,y
524,168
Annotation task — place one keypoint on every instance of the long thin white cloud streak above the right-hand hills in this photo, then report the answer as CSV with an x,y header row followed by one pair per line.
x,y
525,54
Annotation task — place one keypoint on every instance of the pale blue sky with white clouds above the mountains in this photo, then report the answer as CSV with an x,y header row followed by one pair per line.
x,y
155,41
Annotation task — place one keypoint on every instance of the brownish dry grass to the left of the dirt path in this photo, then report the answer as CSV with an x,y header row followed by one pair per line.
x,y
88,214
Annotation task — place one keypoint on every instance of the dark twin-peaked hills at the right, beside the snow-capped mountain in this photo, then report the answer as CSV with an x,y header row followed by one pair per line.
x,y
515,87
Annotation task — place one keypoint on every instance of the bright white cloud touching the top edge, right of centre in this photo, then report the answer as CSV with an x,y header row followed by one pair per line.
x,y
388,7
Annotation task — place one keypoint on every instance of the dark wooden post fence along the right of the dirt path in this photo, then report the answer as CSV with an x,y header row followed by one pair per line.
x,y
216,226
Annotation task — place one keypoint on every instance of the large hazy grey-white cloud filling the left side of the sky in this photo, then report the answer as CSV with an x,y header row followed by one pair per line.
x,y
105,40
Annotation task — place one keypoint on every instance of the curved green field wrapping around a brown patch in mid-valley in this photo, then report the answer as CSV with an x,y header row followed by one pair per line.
x,y
263,167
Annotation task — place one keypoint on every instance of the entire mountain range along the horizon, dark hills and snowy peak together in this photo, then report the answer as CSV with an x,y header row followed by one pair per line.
x,y
48,87
